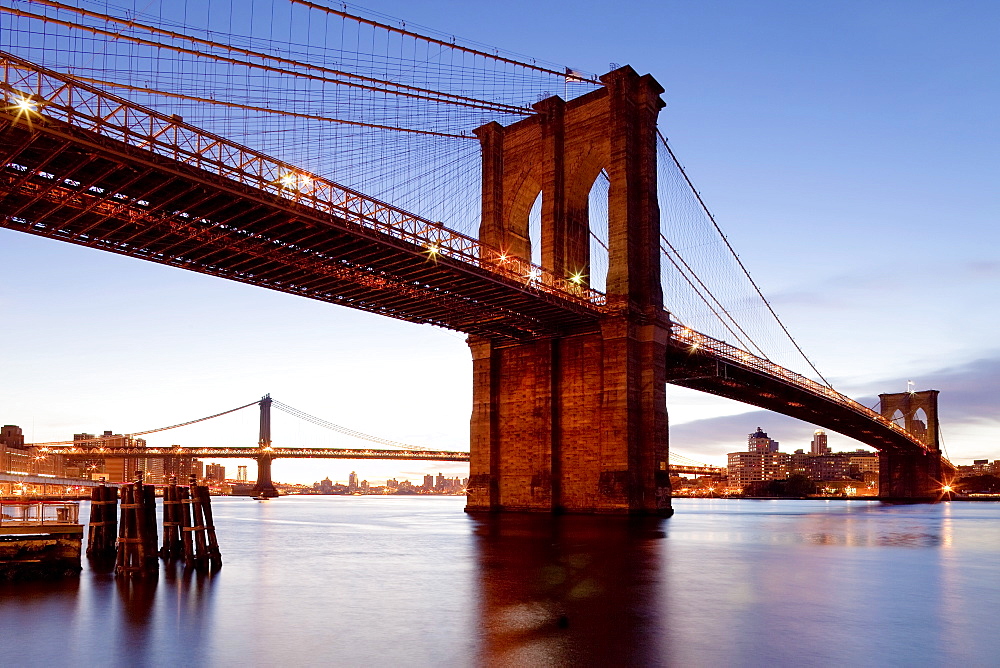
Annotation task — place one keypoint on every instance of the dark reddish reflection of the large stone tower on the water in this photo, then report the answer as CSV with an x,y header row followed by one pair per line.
x,y
568,590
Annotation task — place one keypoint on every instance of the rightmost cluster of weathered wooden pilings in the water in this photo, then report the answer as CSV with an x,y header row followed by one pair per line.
x,y
188,527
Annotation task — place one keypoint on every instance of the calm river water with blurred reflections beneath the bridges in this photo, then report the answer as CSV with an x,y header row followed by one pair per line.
x,y
414,581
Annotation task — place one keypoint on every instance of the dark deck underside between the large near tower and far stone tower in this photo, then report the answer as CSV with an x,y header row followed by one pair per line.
x,y
703,372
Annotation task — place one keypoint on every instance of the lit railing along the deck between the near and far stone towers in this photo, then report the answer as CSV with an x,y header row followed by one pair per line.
x,y
720,349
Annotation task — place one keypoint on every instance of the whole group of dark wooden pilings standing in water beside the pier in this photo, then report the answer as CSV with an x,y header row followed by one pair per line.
x,y
188,527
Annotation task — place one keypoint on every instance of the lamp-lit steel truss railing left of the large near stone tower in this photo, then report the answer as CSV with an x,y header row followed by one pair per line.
x,y
38,93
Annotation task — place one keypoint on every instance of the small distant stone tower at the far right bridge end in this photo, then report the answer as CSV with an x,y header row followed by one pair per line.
x,y
912,476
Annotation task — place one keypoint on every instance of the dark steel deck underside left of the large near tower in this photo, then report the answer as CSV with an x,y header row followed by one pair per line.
x,y
66,183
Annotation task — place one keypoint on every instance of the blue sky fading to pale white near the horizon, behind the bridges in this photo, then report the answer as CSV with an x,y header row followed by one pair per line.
x,y
850,151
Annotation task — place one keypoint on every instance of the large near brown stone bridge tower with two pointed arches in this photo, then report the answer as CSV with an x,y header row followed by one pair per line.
x,y
576,422
